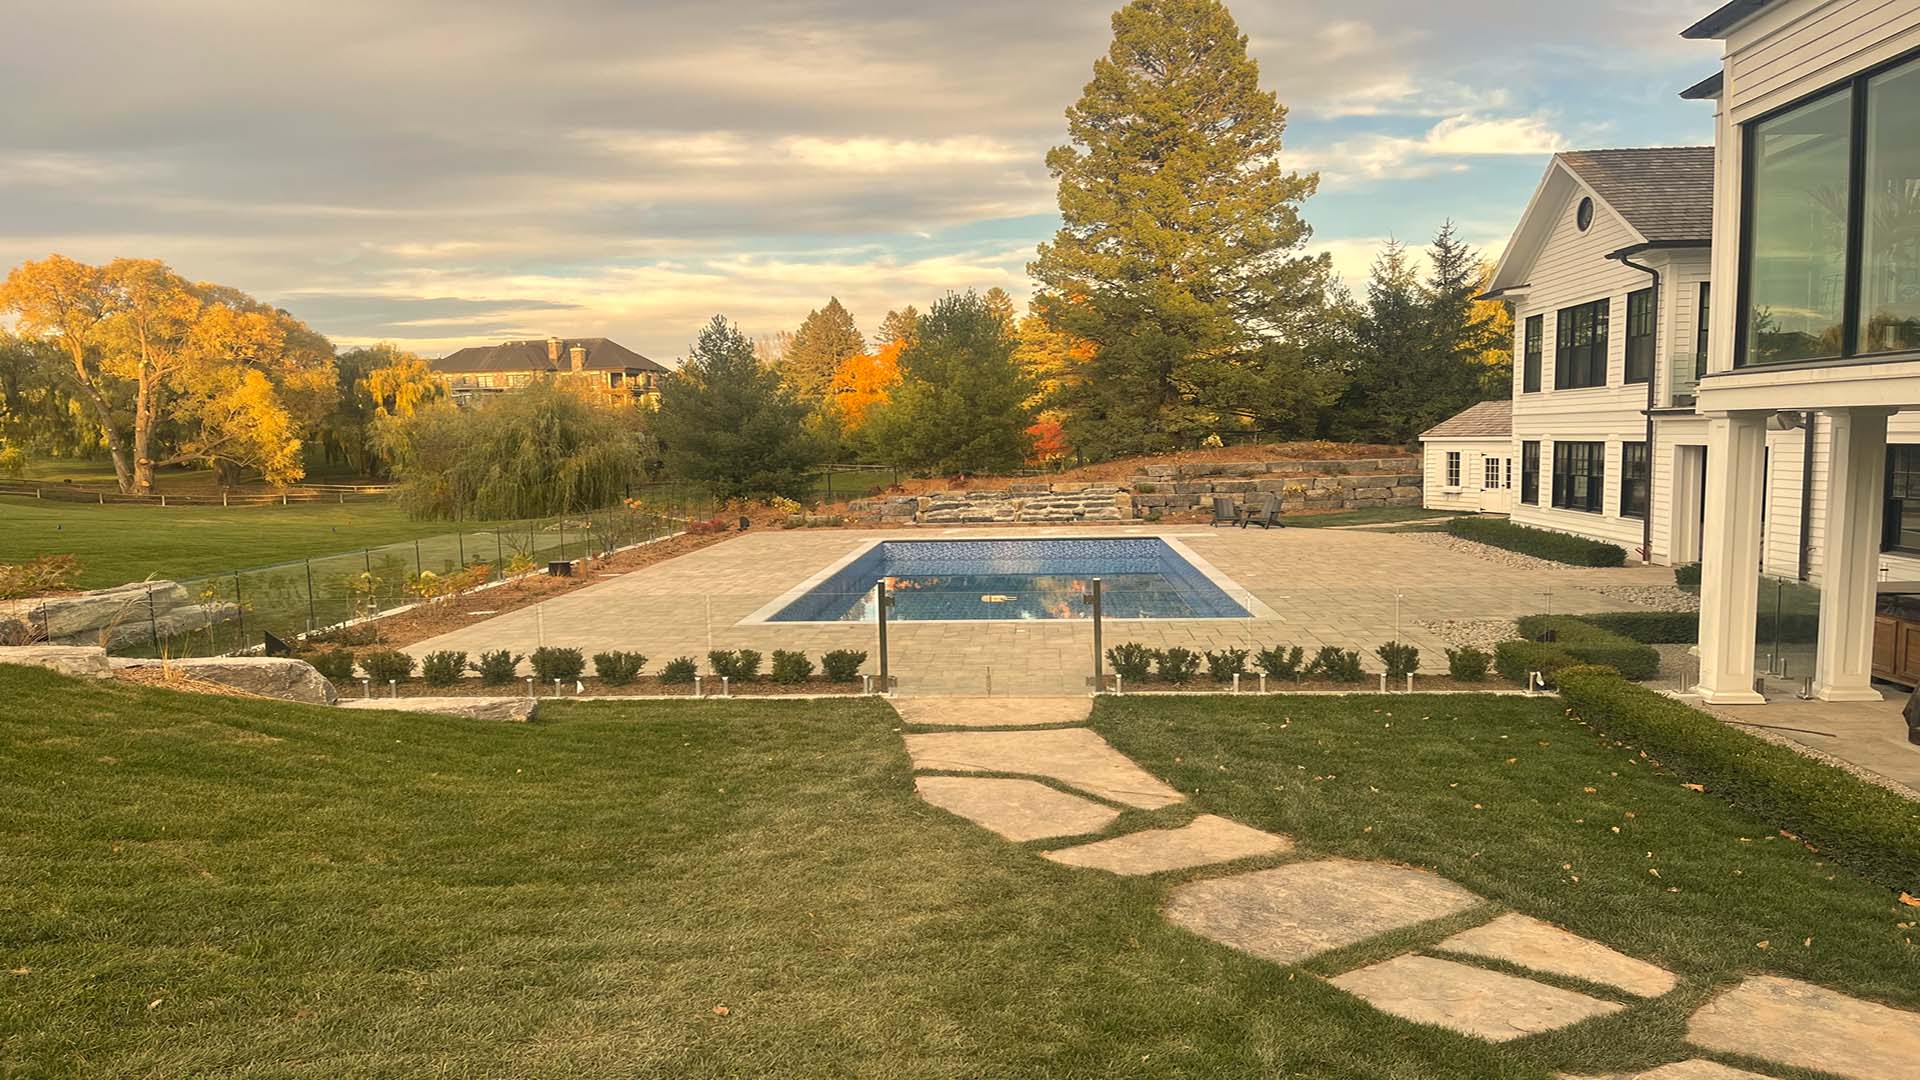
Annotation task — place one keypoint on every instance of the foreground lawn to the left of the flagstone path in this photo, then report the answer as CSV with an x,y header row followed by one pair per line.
x,y
218,887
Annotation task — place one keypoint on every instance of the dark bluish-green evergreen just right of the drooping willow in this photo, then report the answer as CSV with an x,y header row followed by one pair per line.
x,y
729,422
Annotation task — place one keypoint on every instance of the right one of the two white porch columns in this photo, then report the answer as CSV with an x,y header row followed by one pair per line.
x,y
1850,556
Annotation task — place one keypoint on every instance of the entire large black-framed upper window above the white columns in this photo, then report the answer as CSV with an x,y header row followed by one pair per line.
x,y
1831,262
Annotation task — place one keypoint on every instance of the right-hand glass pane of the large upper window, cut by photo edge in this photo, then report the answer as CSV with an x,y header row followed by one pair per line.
x,y
1890,249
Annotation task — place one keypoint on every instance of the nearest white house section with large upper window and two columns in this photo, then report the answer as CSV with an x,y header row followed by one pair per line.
x,y
1817,197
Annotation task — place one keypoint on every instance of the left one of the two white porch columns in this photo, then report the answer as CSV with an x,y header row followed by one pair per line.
x,y
1731,558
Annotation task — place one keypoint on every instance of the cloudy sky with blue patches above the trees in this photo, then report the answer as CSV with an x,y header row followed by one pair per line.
x,y
446,174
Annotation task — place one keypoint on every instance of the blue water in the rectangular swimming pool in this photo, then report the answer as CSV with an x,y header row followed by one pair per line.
x,y
1015,579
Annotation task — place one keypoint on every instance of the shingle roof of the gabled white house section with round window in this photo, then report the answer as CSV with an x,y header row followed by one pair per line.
x,y
1662,191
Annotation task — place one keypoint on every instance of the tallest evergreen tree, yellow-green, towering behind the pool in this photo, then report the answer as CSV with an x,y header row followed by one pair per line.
x,y
1180,257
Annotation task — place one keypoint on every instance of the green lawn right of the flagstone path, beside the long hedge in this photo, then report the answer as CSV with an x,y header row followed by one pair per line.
x,y
1537,814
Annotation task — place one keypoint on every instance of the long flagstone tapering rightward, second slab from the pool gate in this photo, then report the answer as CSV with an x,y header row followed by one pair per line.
x,y
1072,756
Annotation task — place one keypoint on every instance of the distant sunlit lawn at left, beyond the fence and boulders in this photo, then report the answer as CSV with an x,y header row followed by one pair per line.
x,y
120,545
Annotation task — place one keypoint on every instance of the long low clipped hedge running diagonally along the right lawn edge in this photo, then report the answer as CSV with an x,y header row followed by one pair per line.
x,y
1854,823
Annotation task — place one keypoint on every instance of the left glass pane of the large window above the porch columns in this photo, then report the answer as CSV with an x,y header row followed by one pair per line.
x,y
1798,174
